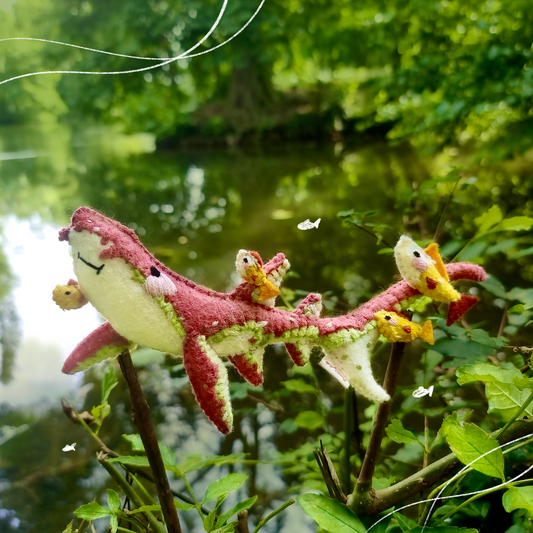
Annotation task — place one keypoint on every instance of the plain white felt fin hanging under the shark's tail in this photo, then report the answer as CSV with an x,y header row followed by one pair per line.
x,y
351,364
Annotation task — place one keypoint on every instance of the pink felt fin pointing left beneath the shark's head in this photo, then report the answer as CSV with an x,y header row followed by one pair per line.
x,y
103,343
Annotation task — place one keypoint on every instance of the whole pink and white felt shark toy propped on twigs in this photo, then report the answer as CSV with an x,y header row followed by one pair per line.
x,y
146,303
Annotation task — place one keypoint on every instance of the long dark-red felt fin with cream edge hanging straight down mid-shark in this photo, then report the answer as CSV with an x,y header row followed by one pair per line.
x,y
209,380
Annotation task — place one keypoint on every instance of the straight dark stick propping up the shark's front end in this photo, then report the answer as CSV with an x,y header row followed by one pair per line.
x,y
143,421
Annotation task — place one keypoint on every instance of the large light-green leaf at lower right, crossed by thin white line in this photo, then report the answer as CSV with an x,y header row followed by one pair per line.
x,y
469,442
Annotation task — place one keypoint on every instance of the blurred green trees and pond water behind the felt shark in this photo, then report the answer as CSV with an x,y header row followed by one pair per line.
x,y
396,110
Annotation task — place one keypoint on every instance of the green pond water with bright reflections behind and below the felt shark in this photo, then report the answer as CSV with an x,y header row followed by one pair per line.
x,y
194,210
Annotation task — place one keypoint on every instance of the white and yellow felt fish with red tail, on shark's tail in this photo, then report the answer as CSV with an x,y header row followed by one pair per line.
x,y
424,271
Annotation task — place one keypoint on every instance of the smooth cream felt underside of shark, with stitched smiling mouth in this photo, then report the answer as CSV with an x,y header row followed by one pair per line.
x,y
132,312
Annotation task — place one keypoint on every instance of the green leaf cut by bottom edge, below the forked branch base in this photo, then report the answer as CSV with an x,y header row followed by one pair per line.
x,y
330,514
